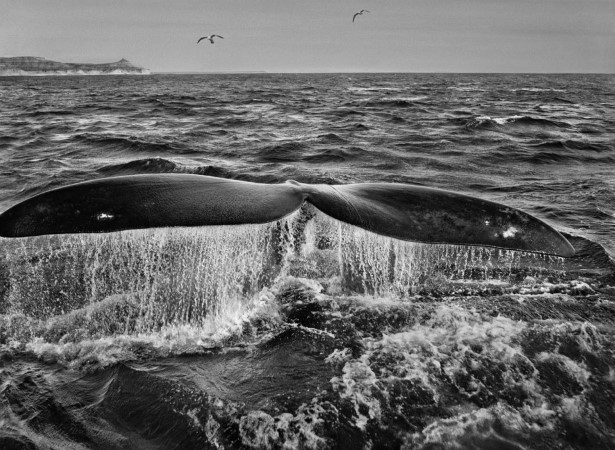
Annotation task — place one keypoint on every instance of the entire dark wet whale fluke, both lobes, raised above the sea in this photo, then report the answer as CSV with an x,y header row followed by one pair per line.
x,y
407,212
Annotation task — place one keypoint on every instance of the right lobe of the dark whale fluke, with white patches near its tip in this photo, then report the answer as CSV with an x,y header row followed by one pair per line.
x,y
422,214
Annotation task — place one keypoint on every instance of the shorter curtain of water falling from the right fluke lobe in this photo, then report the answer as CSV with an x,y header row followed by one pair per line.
x,y
383,266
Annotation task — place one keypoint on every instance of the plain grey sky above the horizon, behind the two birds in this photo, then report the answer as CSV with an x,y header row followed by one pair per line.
x,y
532,36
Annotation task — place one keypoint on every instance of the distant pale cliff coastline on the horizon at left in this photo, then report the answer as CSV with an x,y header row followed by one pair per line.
x,y
37,66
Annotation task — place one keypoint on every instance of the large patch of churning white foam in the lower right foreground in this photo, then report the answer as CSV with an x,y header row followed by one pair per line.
x,y
482,358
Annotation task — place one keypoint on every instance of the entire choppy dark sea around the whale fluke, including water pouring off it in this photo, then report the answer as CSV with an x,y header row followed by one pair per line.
x,y
197,338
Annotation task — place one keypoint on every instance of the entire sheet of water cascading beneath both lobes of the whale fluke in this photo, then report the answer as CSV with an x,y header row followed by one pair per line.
x,y
147,280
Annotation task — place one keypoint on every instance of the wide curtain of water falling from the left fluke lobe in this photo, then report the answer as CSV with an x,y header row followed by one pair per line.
x,y
85,286
